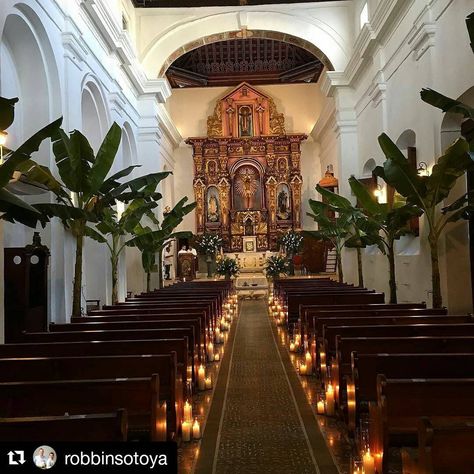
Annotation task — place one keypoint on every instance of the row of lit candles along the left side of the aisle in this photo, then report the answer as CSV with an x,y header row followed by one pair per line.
x,y
191,429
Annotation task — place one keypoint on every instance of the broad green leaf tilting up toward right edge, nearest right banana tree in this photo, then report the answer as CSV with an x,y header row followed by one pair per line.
x,y
453,164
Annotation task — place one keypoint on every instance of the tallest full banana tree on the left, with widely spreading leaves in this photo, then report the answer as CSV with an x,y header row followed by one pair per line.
x,y
85,192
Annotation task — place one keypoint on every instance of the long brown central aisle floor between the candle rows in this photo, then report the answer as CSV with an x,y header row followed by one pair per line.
x,y
260,421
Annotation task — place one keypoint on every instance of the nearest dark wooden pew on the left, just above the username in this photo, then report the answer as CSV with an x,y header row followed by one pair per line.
x,y
110,427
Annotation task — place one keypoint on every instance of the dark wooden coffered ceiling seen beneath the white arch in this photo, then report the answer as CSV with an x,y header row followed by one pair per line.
x,y
254,60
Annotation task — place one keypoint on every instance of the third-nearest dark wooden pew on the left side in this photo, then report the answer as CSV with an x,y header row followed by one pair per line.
x,y
100,367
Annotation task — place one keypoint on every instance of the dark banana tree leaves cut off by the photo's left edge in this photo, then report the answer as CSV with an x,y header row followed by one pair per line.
x,y
13,208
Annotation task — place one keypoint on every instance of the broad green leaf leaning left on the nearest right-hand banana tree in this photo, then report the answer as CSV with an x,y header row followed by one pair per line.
x,y
398,172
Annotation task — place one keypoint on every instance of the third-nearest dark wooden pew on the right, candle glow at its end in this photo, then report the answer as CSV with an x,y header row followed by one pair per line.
x,y
361,385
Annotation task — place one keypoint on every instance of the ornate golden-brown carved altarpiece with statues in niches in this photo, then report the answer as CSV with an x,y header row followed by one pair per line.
x,y
247,179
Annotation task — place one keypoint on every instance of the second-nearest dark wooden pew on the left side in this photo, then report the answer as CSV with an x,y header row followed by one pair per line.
x,y
139,396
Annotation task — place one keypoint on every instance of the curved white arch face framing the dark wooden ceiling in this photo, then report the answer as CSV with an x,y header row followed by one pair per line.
x,y
313,30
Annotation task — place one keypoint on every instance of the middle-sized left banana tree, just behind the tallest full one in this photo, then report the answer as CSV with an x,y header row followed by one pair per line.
x,y
112,229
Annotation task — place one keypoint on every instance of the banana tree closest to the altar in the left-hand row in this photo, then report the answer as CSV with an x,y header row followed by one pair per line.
x,y
151,242
